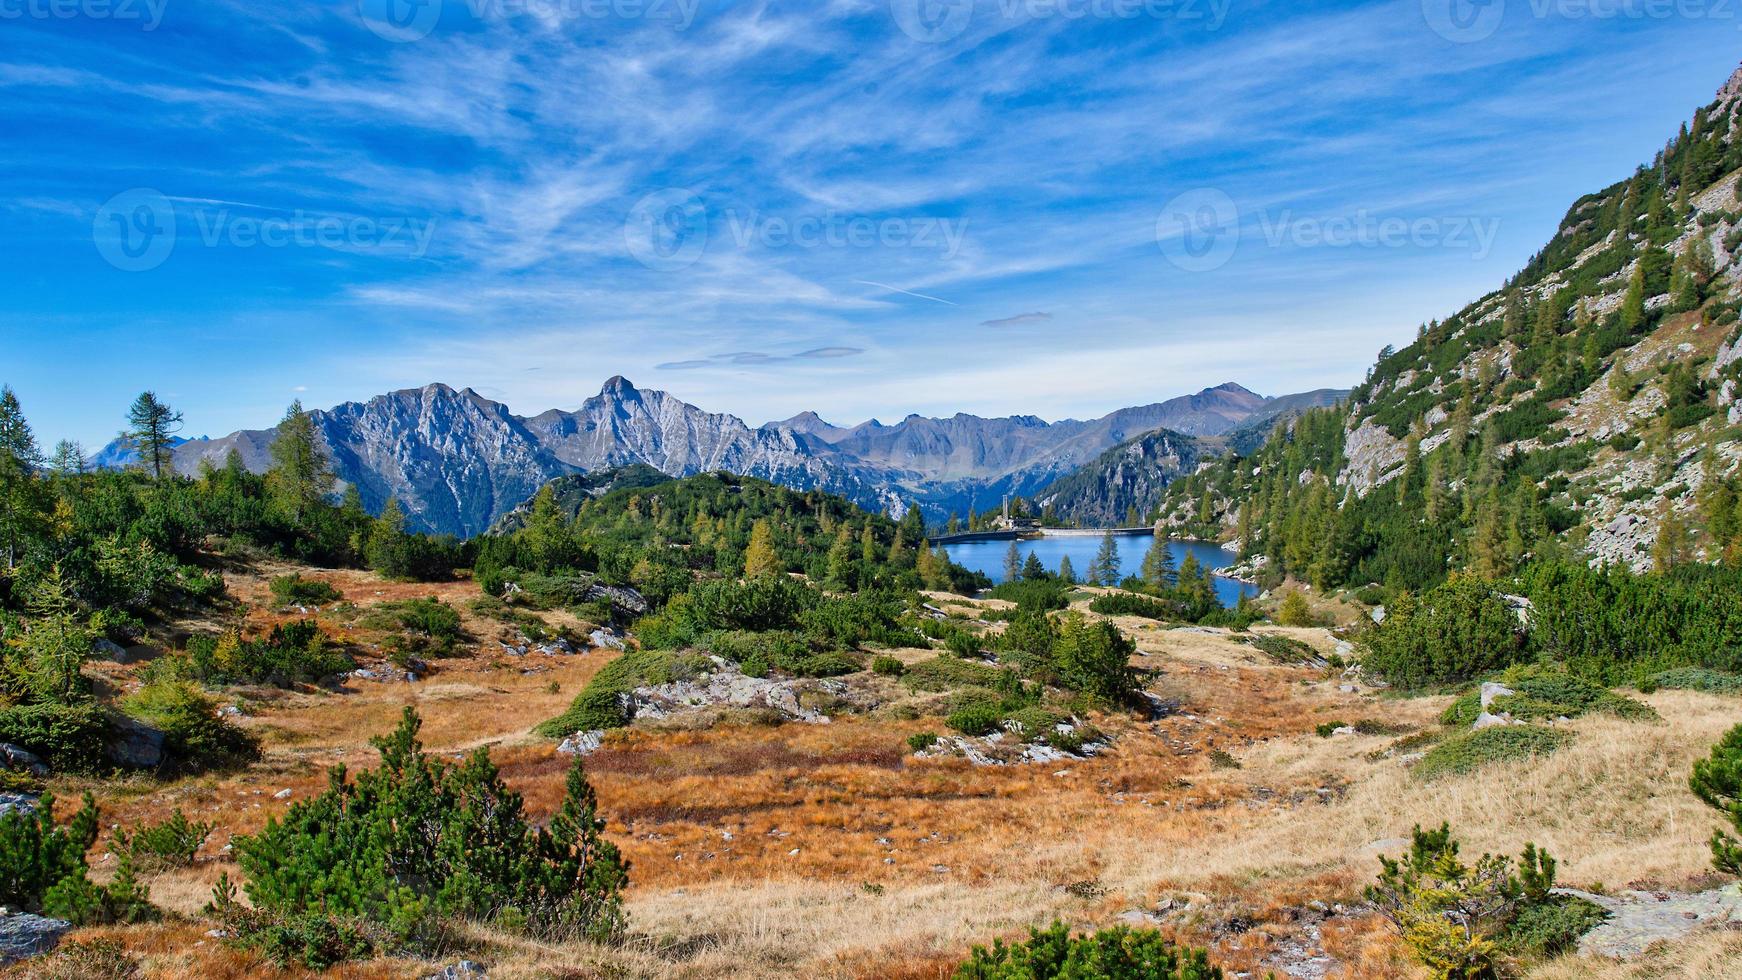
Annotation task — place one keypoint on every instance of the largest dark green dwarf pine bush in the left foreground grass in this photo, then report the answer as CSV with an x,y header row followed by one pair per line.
x,y
341,875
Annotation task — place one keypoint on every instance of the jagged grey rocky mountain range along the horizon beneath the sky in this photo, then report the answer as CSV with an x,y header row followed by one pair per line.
x,y
459,462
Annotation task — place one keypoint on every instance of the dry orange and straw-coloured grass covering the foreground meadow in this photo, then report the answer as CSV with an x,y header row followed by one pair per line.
x,y
830,852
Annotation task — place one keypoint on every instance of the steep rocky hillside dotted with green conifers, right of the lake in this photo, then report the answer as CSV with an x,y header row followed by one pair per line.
x,y
1586,410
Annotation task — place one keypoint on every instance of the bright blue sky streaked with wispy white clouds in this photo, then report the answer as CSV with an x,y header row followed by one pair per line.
x,y
860,208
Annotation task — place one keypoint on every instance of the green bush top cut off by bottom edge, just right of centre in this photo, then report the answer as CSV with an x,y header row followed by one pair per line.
x,y
1109,955
